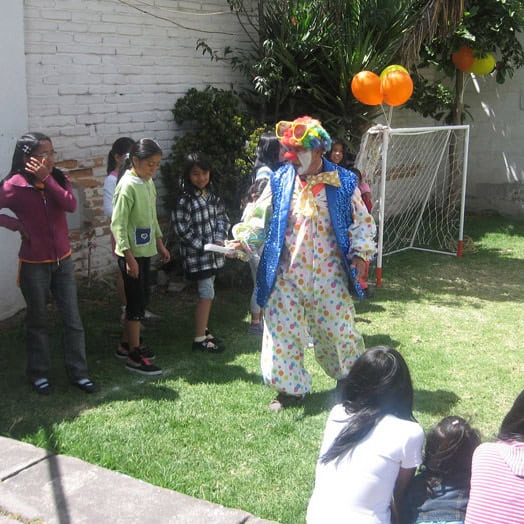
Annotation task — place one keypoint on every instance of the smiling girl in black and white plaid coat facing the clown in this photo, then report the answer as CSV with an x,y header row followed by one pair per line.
x,y
200,218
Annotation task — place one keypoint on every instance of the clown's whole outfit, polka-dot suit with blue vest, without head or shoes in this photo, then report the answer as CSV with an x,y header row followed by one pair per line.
x,y
303,279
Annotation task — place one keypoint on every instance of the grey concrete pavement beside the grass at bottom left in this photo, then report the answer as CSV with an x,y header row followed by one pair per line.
x,y
39,487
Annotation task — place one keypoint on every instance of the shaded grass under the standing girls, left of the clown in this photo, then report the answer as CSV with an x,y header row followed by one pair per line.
x,y
26,415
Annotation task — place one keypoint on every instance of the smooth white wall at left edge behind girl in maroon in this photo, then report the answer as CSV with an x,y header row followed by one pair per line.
x,y
13,116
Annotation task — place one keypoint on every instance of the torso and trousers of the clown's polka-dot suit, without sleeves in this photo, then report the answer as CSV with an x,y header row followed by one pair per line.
x,y
310,299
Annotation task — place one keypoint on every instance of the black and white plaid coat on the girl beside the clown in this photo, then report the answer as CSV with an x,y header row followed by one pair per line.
x,y
198,220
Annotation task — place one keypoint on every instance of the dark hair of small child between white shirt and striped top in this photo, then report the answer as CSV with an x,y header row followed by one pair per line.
x,y
449,449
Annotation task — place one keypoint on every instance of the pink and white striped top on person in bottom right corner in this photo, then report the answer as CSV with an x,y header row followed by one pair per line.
x,y
497,484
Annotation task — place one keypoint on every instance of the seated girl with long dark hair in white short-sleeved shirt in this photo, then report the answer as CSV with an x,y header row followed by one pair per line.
x,y
371,446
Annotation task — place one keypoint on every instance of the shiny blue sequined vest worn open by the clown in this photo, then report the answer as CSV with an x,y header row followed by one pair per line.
x,y
340,209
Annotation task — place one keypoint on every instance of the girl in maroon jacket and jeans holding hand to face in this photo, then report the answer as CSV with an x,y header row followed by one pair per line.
x,y
39,195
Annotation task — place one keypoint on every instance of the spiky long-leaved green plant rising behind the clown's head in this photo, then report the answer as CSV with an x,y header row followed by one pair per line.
x,y
307,52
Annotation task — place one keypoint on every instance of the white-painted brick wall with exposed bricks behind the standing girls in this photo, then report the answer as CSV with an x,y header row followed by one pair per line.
x,y
100,69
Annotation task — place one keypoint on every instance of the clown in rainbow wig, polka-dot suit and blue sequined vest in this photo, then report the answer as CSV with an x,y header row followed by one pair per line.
x,y
315,228
